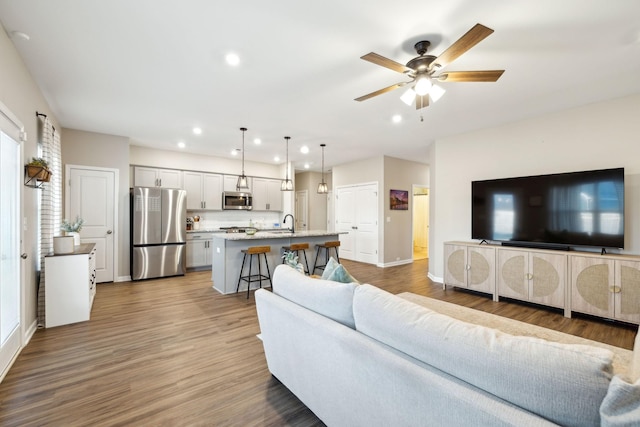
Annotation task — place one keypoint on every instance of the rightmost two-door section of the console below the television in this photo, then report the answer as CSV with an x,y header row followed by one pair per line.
x,y
606,286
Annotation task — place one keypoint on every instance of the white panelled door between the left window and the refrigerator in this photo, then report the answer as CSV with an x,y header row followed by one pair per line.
x,y
90,194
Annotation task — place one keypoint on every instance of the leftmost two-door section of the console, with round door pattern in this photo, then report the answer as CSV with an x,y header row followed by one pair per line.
x,y
470,266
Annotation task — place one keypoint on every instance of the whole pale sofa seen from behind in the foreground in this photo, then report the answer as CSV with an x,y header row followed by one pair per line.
x,y
359,356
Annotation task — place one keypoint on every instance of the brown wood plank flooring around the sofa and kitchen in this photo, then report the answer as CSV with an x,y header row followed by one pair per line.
x,y
174,352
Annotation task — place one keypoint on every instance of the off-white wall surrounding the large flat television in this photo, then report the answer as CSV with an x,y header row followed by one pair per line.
x,y
597,136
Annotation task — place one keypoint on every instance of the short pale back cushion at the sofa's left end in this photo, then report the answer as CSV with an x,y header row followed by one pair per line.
x,y
331,299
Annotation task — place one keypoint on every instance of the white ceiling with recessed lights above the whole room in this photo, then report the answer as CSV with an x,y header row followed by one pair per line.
x,y
152,70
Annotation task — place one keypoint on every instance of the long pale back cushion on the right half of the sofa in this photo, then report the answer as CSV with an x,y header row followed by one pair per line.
x,y
564,383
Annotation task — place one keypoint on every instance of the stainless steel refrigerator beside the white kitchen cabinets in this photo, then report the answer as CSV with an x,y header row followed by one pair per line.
x,y
158,232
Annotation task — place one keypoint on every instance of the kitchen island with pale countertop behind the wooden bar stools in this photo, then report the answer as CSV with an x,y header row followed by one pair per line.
x,y
227,258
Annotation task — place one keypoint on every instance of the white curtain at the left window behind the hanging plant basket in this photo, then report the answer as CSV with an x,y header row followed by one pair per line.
x,y
50,202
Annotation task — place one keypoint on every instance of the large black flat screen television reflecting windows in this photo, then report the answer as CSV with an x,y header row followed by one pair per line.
x,y
556,211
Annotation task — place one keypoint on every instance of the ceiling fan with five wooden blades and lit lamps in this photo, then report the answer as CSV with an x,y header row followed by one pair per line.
x,y
425,69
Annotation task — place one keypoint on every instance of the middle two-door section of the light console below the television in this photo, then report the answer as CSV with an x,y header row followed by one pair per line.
x,y
533,276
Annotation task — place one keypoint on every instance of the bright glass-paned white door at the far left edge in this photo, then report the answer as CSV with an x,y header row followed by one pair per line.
x,y
10,273
